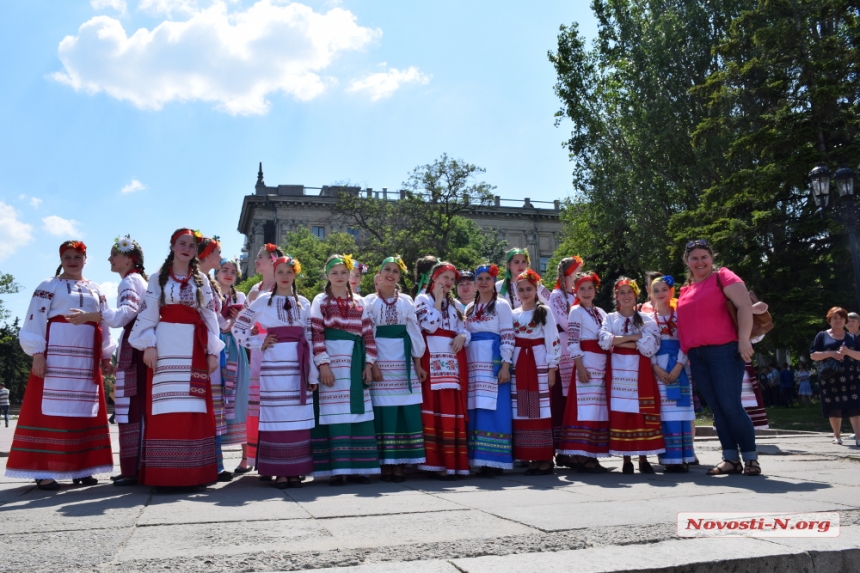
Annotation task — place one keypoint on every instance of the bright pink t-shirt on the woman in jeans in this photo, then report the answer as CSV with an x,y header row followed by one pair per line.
x,y
703,319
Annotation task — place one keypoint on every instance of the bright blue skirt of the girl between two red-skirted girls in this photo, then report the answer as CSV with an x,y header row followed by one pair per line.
x,y
491,433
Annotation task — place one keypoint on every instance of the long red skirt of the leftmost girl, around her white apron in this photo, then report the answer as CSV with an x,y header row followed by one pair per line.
x,y
58,447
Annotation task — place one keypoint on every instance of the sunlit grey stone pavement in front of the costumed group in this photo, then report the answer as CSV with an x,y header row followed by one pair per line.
x,y
566,522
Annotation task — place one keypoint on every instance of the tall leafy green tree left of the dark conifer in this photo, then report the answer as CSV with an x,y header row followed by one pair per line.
x,y
632,116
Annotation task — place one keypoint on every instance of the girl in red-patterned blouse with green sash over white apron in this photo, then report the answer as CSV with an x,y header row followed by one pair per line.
x,y
344,437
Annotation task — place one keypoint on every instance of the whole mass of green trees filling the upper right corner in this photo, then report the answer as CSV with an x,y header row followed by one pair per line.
x,y
700,119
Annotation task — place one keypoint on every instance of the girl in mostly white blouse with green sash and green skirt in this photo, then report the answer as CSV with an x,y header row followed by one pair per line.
x,y
397,373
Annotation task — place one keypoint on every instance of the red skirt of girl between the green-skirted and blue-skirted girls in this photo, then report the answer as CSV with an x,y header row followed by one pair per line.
x,y
445,438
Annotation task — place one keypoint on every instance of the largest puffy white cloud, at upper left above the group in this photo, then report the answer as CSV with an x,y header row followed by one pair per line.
x,y
234,59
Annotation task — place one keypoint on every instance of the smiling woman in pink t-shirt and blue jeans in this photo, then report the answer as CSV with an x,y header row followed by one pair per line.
x,y
718,351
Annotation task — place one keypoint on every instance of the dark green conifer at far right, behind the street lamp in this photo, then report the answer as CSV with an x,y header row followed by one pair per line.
x,y
786,96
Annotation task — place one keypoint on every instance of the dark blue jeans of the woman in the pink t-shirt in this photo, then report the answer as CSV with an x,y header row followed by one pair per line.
x,y
718,372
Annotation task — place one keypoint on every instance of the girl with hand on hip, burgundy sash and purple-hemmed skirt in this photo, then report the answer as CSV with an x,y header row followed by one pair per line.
x,y
288,376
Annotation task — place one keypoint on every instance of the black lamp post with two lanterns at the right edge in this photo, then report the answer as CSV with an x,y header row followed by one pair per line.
x,y
843,210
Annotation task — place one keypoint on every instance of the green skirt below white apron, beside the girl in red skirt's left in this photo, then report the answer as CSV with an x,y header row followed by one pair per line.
x,y
399,434
